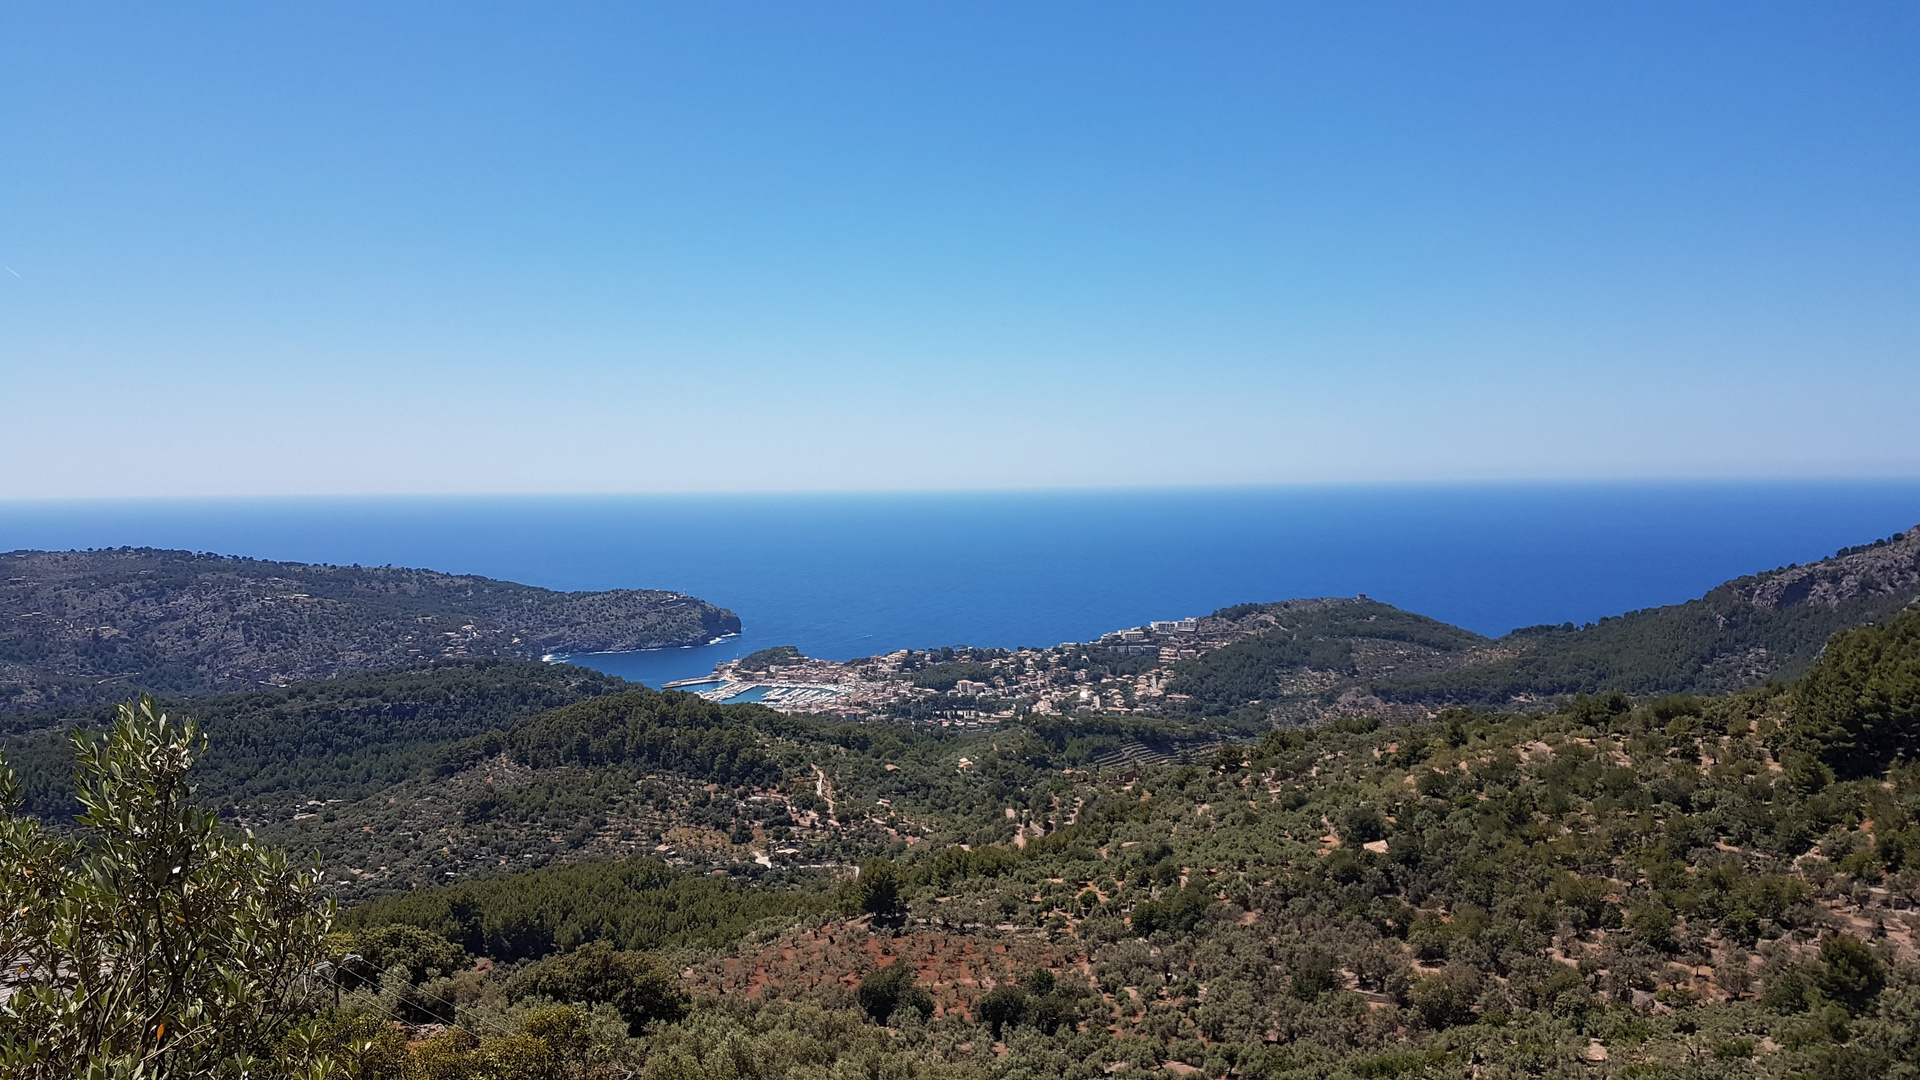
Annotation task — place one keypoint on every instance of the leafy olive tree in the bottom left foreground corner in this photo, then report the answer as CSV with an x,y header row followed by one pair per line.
x,y
153,945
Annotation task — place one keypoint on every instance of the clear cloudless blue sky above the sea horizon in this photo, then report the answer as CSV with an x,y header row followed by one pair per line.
x,y
331,249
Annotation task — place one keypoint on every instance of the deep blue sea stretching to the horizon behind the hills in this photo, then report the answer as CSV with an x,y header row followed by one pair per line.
x,y
861,576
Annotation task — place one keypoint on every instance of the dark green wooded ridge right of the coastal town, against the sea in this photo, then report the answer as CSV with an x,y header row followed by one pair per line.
x,y
1742,633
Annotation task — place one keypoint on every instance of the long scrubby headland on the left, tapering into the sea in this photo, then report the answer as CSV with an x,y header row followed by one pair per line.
x,y
89,627
